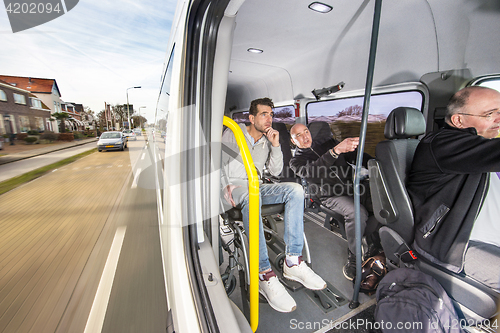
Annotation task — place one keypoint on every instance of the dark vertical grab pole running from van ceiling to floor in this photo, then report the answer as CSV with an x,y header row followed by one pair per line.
x,y
359,158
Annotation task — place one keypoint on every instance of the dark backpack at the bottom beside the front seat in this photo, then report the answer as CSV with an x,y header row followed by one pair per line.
x,y
412,301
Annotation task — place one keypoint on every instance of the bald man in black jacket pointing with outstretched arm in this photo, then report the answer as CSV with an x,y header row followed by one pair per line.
x,y
328,168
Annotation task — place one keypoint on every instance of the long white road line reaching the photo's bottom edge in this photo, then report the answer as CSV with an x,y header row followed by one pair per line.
x,y
101,300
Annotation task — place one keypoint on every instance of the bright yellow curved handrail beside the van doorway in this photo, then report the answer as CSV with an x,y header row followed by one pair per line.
x,y
253,232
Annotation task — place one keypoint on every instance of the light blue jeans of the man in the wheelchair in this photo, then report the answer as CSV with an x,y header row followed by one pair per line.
x,y
292,195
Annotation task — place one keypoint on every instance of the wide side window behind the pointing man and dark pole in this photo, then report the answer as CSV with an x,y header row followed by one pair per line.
x,y
344,115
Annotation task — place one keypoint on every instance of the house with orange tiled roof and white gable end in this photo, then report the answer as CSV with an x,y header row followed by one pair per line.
x,y
44,89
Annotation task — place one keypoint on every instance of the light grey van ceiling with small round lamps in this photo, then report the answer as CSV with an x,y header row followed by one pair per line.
x,y
305,50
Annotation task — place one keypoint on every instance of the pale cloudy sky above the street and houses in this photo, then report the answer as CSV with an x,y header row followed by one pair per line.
x,y
95,51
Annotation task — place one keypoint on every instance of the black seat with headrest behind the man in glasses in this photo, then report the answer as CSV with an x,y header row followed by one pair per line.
x,y
393,208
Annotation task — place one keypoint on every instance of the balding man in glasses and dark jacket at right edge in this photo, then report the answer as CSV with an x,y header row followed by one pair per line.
x,y
455,189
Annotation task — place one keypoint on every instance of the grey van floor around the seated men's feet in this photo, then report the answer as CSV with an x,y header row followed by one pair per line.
x,y
328,255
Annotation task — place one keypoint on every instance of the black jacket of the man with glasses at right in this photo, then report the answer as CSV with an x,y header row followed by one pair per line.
x,y
448,181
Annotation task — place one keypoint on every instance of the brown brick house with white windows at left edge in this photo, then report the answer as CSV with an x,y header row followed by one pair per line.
x,y
21,111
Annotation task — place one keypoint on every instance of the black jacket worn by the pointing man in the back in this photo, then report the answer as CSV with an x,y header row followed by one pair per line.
x,y
331,176
